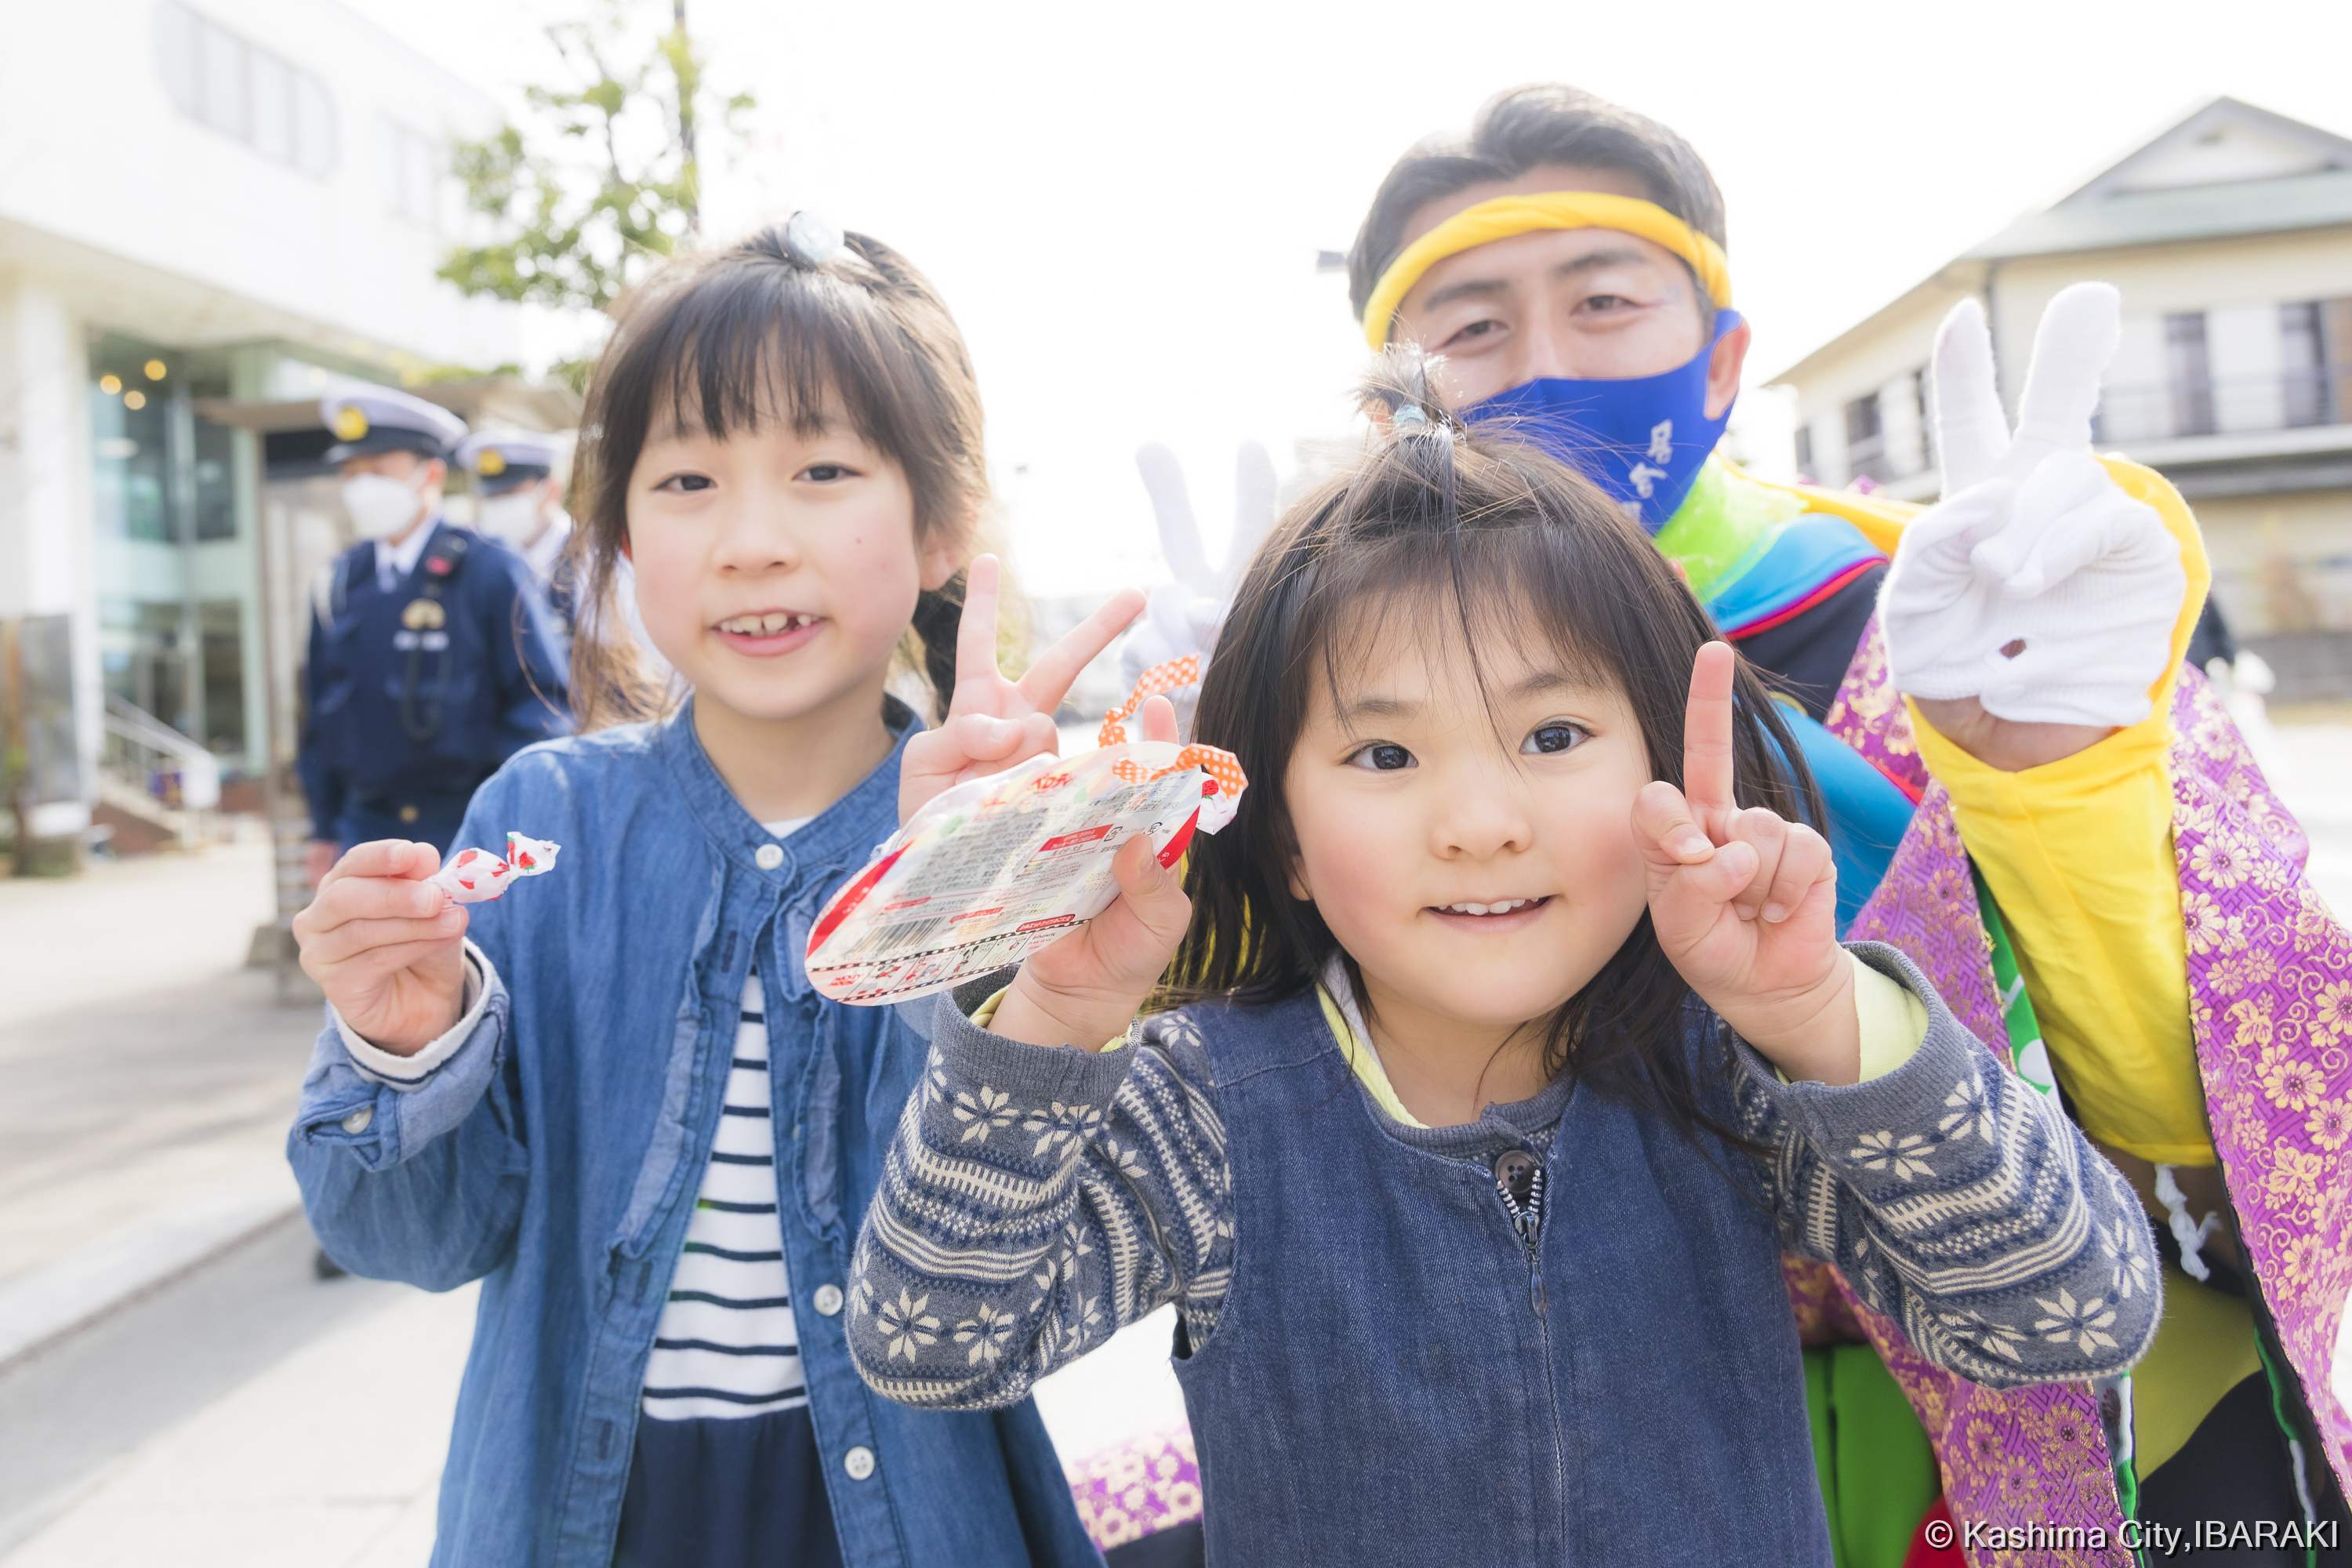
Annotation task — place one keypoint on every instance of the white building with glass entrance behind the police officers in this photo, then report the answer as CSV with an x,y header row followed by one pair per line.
x,y
203,203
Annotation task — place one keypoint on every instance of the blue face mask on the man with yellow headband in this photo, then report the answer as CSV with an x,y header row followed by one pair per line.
x,y
1643,441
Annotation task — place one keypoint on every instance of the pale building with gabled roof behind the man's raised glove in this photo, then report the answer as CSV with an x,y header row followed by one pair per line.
x,y
2231,239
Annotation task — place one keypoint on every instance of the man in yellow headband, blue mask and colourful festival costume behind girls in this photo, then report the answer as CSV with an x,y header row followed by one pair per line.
x,y
2003,699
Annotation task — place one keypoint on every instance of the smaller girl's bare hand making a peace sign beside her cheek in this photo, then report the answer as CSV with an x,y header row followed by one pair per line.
x,y
1744,902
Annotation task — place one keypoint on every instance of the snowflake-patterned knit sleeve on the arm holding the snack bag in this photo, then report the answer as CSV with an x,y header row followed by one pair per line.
x,y
1034,1205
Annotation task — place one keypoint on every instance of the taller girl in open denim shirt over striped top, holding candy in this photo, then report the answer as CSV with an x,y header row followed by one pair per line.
x,y
613,1097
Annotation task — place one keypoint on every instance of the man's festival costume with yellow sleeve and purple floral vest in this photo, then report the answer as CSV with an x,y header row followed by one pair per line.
x,y
2254,1045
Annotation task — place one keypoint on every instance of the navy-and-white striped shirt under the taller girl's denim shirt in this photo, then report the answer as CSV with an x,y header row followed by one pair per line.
x,y
728,1346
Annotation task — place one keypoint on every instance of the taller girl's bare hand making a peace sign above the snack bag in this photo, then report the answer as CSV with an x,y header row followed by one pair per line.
x,y
996,723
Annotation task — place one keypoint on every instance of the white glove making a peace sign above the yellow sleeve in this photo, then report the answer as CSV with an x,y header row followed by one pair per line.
x,y
2036,587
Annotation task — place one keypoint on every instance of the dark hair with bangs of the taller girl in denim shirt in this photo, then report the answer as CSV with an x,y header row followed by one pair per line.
x,y
784,326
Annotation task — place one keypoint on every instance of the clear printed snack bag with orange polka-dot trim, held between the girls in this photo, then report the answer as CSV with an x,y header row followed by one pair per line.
x,y
1003,866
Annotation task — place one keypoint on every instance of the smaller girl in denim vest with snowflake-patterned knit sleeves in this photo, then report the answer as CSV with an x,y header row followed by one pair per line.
x,y
1521,1050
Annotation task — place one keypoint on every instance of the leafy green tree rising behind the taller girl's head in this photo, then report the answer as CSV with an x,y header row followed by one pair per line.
x,y
606,180
